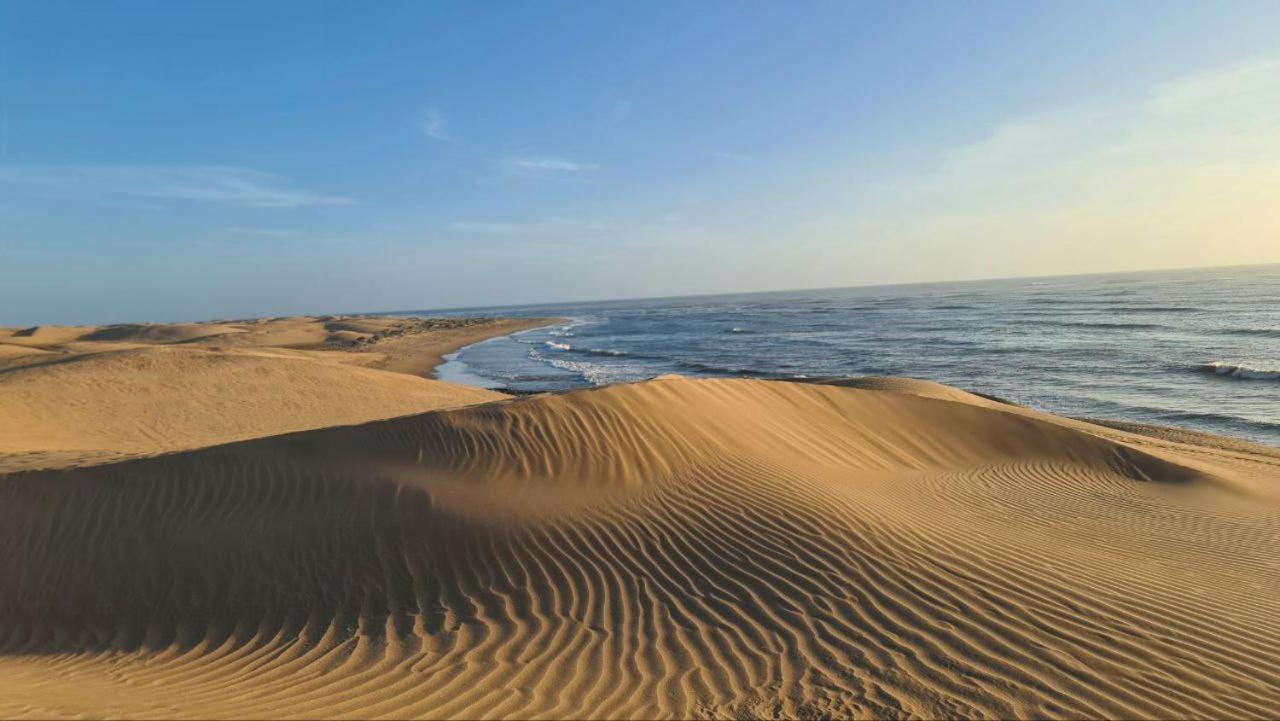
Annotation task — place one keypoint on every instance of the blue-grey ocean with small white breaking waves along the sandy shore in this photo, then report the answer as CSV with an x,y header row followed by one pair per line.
x,y
1192,349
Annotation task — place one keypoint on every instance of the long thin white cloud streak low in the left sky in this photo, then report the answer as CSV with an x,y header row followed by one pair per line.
x,y
220,185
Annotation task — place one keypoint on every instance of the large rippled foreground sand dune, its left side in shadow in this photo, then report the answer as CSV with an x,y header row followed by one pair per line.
x,y
669,549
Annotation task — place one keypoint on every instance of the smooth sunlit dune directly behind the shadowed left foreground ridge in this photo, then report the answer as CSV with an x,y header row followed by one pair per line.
x,y
140,401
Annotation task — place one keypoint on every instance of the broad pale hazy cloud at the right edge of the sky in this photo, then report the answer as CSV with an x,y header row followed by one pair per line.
x,y
1181,130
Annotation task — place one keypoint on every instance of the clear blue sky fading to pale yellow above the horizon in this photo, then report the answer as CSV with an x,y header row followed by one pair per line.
x,y
193,161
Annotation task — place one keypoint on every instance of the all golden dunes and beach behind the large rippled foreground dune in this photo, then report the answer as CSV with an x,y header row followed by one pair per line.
x,y
79,395
